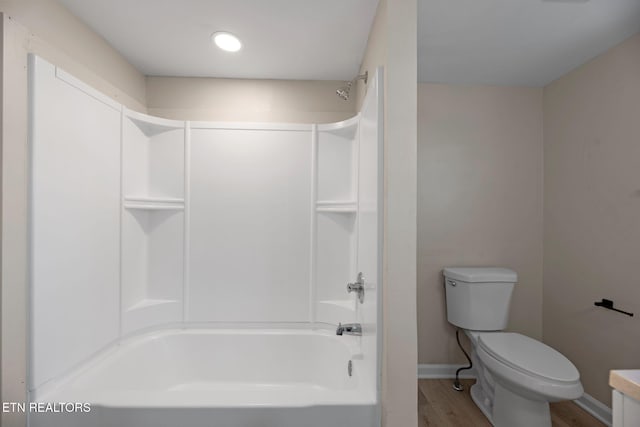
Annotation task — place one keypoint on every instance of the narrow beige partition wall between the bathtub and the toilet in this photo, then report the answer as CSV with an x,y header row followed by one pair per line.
x,y
392,44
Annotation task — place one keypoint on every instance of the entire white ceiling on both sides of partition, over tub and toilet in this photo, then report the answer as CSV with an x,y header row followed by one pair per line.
x,y
500,42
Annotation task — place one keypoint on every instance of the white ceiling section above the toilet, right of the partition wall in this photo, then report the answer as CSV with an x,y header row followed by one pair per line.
x,y
517,42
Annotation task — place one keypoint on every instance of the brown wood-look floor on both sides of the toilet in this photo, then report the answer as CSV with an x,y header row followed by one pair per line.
x,y
441,406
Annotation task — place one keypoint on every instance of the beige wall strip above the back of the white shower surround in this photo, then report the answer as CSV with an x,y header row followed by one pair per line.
x,y
247,100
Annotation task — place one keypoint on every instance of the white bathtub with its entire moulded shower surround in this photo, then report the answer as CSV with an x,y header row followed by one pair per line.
x,y
195,273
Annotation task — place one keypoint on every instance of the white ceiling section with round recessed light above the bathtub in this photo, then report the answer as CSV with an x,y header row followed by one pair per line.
x,y
283,39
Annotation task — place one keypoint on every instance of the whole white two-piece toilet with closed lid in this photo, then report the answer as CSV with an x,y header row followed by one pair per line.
x,y
517,375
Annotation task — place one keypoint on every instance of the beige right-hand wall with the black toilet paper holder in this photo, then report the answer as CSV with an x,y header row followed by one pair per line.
x,y
592,214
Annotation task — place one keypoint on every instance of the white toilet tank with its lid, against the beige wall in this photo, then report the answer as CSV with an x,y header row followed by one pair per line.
x,y
478,298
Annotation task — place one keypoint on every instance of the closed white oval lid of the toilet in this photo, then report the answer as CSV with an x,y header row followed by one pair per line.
x,y
529,356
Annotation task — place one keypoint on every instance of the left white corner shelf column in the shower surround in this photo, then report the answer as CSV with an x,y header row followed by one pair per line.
x,y
153,220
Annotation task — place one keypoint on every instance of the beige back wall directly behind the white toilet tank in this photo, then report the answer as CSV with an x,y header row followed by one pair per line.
x,y
479,201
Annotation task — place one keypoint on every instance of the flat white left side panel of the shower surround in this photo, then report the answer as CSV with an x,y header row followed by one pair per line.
x,y
75,228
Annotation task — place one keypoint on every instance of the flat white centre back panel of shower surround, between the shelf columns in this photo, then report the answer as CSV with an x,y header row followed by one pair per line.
x,y
250,208
